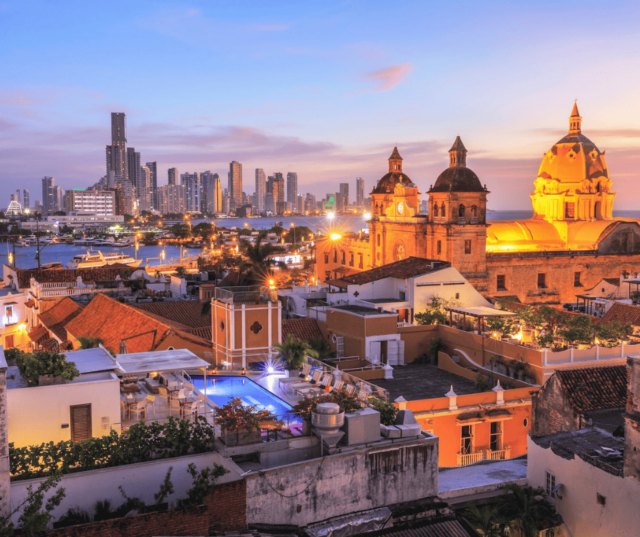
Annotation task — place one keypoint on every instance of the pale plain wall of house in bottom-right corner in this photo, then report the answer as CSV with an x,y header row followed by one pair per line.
x,y
581,482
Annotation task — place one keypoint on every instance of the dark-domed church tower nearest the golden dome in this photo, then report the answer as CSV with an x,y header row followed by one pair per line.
x,y
457,216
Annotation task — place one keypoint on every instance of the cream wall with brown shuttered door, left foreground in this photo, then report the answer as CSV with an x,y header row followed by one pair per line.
x,y
36,414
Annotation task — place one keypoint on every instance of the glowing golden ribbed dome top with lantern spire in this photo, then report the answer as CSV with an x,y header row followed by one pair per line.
x,y
574,159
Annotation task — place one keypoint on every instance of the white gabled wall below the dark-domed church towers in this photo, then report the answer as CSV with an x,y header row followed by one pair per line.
x,y
468,296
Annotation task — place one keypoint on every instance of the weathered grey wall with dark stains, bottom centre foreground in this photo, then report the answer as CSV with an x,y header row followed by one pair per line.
x,y
370,477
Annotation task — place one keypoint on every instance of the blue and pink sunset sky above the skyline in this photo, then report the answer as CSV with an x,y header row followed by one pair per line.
x,y
325,89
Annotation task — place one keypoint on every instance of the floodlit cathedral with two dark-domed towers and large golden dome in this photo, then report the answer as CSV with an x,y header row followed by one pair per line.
x,y
570,244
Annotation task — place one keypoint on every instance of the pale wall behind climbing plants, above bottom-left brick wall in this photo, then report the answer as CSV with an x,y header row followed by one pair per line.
x,y
141,480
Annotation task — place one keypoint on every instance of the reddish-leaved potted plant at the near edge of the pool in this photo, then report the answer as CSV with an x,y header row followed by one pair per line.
x,y
240,423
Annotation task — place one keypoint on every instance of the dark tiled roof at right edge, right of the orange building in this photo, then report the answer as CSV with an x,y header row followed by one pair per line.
x,y
595,388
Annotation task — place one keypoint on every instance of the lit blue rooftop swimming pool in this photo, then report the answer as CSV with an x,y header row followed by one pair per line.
x,y
221,389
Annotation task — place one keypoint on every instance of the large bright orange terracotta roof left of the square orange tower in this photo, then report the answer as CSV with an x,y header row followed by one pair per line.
x,y
113,321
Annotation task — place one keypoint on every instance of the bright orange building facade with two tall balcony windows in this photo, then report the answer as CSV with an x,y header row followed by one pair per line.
x,y
482,426
